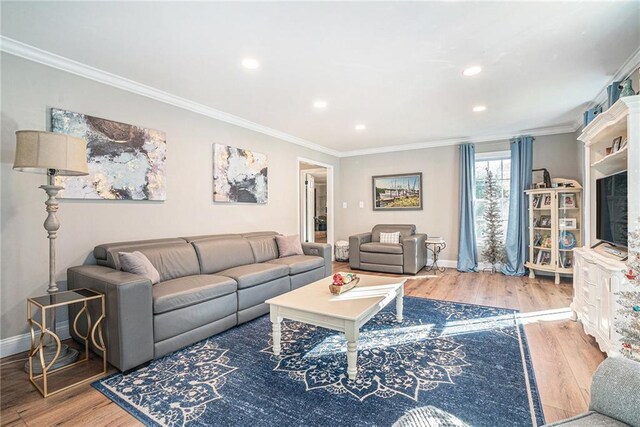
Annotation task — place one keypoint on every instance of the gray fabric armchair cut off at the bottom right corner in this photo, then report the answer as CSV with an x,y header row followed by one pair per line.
x,y
615,401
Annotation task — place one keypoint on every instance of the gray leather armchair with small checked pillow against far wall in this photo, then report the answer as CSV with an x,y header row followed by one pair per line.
x,y
408,257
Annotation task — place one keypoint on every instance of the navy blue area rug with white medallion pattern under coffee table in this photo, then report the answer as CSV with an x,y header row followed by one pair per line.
x,y
447,363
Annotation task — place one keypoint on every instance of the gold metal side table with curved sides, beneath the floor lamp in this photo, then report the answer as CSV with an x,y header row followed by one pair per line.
x,y
44,304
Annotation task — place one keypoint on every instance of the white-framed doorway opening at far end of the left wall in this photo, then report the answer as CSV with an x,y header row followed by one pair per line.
x,y
315,201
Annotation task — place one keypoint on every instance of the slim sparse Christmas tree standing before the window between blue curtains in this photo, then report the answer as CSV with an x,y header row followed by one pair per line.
x,y
493,250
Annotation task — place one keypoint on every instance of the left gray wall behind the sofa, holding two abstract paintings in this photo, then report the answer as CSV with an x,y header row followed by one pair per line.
x,y
29,90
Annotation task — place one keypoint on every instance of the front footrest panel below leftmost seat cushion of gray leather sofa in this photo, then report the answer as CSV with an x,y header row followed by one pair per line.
x,y
176,322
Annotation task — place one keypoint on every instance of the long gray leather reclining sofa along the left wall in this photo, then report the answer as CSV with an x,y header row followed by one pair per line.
x,y
207,284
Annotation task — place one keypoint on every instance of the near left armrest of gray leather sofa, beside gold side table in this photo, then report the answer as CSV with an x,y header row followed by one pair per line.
x,y
128,327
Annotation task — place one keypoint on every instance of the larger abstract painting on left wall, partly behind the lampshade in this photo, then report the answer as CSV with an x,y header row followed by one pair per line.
x,y
126,162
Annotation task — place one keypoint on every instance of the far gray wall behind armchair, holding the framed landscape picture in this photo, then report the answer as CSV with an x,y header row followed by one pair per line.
x,y
560,154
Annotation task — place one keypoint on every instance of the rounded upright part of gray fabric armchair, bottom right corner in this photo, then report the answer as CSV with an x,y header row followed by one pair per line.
x,y
614,390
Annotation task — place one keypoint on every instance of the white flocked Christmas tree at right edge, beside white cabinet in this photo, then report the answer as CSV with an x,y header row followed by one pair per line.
x,y
628,318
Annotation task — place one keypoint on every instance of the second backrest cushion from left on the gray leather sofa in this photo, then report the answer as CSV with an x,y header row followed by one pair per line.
x,y
220,254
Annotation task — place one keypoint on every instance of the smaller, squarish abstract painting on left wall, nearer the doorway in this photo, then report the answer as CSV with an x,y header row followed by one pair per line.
x,y
239,175
